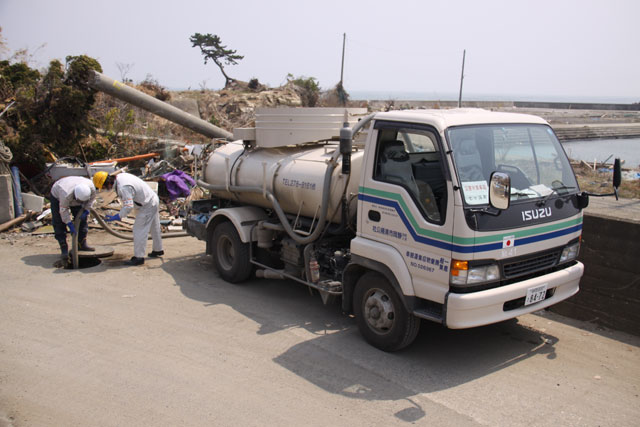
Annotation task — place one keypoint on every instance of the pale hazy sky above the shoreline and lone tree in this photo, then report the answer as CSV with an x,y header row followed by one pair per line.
x,y
563,48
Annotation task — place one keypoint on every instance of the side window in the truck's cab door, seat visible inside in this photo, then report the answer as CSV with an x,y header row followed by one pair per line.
x,y
409,158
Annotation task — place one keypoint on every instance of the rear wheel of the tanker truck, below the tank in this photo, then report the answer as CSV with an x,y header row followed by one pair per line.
x,y
230,255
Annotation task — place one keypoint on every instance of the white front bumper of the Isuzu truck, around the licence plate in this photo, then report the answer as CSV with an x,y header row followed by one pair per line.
x,y
486,307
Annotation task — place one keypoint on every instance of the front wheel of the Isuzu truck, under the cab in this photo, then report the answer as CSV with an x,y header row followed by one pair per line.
x,y
382,318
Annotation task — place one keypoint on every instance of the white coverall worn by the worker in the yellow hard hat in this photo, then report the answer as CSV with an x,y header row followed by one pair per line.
x,y
134,192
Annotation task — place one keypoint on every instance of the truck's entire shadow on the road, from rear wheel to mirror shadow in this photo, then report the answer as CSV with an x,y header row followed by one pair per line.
x,y
340,361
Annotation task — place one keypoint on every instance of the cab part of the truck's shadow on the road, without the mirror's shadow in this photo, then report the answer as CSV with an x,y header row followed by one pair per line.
x,y
439,359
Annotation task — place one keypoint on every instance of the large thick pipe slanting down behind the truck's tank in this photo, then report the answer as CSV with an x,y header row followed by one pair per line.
x,y
99,81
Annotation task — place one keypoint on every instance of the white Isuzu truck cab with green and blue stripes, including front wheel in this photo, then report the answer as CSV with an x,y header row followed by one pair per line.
x,y
475,214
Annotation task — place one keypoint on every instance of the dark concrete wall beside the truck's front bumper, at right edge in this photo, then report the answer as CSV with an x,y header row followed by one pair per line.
x,y
610,288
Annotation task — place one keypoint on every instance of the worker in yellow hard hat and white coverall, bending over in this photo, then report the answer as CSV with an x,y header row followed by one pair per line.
x,y
135,193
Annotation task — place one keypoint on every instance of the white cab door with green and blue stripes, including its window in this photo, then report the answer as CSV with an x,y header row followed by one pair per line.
x,y
406,201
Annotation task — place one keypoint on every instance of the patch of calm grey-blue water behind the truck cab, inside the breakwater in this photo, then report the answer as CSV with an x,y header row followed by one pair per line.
x,y
600,149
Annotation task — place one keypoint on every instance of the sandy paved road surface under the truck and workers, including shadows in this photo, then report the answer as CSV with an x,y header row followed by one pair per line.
x,y
170,344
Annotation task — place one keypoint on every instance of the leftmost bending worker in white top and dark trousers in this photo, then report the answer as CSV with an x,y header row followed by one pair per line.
x,y
71,195
